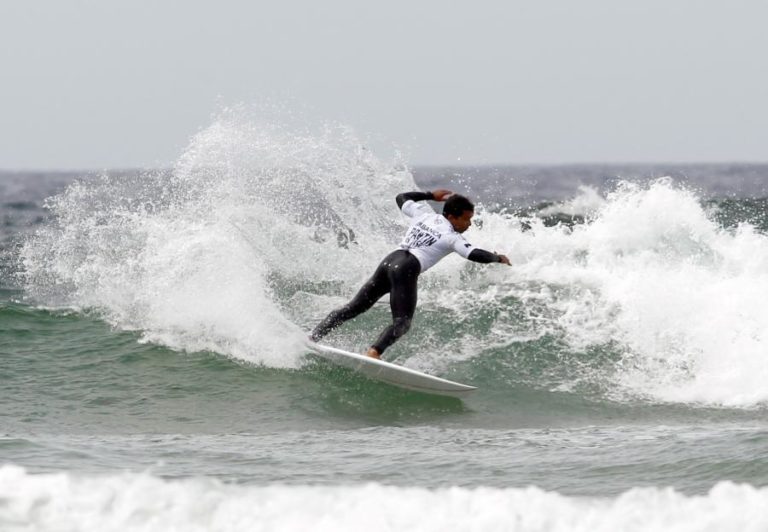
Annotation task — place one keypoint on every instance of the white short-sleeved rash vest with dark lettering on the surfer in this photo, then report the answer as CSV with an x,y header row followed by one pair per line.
x,y
431,236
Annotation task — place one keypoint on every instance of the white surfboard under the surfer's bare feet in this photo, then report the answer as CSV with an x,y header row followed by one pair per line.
x,y
392,373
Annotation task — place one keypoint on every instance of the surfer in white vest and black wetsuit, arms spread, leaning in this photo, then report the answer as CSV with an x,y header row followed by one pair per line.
x,y
429,238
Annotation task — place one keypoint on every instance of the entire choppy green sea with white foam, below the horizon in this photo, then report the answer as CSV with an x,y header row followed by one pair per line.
x,y
153,374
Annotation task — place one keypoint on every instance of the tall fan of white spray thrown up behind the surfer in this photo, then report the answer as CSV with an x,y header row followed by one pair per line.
x,y
193,258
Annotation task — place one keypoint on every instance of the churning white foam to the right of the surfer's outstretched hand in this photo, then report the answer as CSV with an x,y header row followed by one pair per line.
x,y
652,273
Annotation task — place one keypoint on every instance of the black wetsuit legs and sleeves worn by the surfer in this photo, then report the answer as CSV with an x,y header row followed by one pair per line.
x,y
397,275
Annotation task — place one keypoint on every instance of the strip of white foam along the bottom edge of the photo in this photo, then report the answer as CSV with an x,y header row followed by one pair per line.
x,y
141,502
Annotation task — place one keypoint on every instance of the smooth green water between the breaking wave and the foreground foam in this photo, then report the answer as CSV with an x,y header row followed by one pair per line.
x,y
81,396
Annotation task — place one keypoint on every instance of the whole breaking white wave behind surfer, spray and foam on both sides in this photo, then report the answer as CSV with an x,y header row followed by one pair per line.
x,y
259,230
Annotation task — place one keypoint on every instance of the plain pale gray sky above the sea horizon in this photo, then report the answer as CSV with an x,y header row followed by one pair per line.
x,y
105,84
